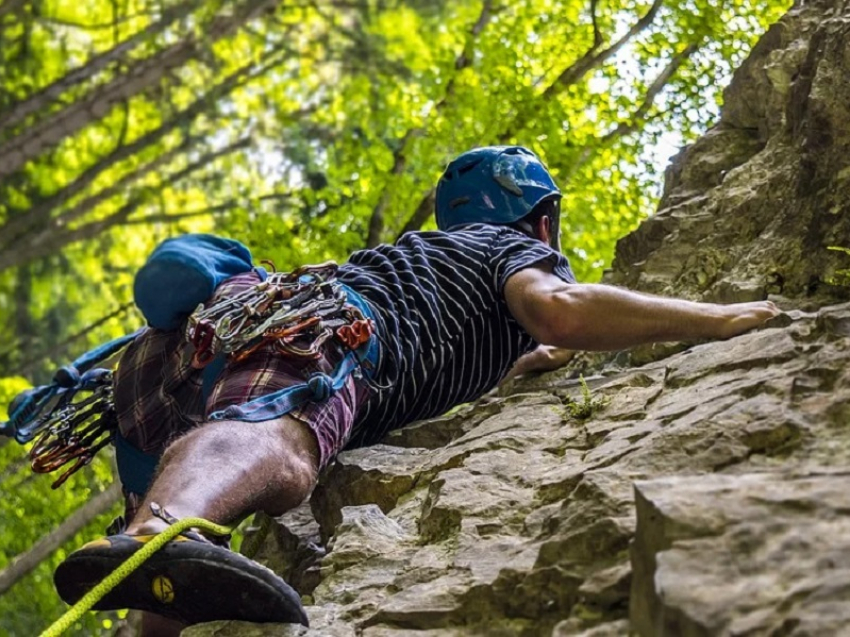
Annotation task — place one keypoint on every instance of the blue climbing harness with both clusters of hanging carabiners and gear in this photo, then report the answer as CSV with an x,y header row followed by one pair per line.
x,y
297,312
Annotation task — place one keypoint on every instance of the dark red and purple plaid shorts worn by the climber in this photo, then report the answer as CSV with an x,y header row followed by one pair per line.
x,y
159,395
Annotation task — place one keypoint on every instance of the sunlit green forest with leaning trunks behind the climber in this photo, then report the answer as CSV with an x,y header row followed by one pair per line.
x,y
306,129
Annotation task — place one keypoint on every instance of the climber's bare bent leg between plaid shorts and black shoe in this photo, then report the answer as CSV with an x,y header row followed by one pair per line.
x,y
227,470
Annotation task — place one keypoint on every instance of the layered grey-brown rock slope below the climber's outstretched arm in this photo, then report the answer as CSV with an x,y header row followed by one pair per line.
x,y
522,525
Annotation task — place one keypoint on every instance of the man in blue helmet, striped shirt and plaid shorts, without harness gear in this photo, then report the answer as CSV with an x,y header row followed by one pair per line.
x,y
453,310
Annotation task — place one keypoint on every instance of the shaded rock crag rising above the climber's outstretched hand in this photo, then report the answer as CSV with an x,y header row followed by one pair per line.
x,y
754,206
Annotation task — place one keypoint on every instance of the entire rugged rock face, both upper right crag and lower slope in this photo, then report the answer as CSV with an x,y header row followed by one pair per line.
x,y
685,491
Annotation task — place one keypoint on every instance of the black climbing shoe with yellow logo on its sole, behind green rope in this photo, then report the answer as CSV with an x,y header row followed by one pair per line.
x,y
189,579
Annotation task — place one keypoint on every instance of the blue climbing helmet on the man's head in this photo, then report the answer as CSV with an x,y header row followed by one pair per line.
x,y
494,184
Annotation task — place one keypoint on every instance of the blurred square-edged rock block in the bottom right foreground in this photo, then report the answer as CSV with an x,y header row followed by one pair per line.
x,y
746,554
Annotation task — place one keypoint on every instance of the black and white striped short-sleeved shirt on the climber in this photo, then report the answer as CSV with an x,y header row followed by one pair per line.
x,y
447,336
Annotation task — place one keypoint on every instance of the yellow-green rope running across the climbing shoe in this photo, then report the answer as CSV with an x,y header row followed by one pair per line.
x,y
124,570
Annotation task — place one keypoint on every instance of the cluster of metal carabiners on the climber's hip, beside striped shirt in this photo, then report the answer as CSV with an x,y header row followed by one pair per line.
x,y
297,311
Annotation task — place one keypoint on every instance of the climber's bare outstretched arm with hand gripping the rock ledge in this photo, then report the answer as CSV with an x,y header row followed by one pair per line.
x,y
603,317
